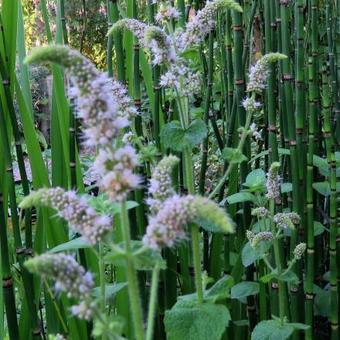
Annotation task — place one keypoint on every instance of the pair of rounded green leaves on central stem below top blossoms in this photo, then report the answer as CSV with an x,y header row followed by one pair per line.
x,y
176,138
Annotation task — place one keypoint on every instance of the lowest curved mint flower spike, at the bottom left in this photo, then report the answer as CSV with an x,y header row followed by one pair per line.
x,y
69,277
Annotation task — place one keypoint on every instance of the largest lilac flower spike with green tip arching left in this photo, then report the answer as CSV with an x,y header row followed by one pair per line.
x,y
105,110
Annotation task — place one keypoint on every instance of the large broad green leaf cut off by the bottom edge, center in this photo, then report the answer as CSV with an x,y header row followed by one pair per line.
x,y
192,321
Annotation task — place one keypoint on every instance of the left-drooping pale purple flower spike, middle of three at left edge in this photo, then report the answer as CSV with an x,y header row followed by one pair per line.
x,y
75,210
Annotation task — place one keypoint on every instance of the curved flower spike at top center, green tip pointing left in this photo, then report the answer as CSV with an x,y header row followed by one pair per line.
x,y
150,37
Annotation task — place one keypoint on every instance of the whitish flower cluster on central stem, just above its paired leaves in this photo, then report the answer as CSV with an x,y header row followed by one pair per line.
x,y
181,78
